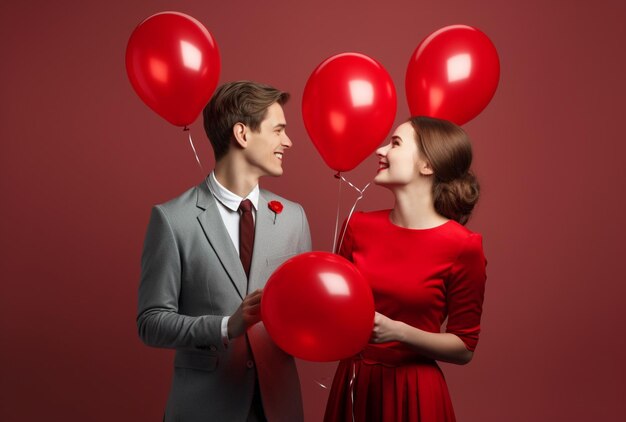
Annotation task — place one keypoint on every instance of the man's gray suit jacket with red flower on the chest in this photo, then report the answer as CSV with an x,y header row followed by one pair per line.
x,y
191,278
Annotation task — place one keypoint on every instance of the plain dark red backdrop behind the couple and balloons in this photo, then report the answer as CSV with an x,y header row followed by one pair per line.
x,y
83,160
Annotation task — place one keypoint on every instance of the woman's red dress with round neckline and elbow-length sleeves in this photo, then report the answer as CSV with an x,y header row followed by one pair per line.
x,y
419,277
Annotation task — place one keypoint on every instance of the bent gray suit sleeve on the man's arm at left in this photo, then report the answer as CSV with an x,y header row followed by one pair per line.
x,y
158,320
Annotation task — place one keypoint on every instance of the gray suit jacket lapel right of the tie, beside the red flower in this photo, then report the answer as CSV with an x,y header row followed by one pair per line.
x,y
262,234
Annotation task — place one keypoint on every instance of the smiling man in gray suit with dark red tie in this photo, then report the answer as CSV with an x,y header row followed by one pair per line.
x,y
206,258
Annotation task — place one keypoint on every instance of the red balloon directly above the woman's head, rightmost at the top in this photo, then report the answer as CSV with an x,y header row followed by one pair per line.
x,y
452,74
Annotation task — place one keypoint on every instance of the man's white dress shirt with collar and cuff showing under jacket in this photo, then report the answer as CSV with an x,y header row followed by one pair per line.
x,y
228,206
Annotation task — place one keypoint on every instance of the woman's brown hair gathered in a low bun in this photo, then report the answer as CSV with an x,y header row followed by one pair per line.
x,y
449,153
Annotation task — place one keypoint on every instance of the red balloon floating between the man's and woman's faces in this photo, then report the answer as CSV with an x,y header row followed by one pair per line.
x,y
348,107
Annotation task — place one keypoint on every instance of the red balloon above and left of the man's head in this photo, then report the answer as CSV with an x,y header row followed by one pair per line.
x,y
173,63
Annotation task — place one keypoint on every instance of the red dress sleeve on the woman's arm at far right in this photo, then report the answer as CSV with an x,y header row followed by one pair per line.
x,y
466,291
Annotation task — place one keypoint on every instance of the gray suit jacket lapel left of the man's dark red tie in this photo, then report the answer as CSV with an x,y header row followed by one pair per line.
x,y
213,227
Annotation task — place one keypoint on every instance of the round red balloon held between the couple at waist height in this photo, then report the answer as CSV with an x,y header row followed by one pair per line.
x,y
317,306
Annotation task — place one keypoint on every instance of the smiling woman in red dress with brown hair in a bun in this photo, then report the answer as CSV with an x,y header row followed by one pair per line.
x,y
423,265
